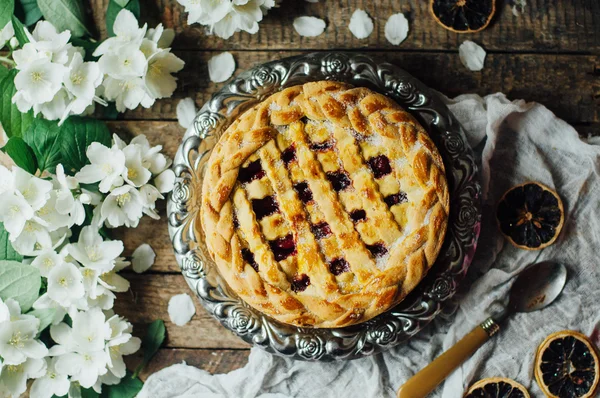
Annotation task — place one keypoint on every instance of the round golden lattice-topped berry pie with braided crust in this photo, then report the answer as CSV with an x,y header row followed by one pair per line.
x,y
324,205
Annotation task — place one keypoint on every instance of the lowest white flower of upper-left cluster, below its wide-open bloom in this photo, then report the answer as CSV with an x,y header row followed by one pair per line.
x,y
127,93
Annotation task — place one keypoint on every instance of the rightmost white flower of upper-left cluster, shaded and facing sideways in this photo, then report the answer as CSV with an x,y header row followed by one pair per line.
x,y
159,80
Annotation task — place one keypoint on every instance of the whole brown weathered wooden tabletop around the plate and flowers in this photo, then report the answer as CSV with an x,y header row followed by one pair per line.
x,y
549,54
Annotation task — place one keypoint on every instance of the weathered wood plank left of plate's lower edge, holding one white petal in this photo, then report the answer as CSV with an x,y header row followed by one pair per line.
x,y
148,300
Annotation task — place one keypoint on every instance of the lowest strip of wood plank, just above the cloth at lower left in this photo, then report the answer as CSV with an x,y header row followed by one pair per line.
x,y
212,361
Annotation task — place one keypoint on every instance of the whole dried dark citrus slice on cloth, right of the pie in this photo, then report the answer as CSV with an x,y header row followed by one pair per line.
x,y
530,215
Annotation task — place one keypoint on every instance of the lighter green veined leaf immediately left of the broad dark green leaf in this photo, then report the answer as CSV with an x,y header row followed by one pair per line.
x,y
43,136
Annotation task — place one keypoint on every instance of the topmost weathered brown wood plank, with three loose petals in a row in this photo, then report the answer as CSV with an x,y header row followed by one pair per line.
x,y
545,25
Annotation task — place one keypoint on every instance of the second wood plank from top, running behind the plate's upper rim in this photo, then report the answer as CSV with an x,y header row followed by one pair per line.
x,y
567,84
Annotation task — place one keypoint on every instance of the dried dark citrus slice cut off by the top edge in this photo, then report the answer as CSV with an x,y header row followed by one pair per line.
x,y
463,16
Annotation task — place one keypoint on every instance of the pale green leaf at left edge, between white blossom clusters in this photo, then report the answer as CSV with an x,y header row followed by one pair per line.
x,y
20,282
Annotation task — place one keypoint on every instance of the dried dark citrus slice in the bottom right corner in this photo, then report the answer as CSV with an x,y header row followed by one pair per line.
x,y
566,366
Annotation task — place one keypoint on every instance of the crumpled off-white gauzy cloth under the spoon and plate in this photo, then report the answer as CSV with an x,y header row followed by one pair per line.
x,y
516,142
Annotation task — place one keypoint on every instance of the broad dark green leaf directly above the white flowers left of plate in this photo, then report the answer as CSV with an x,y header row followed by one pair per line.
x,y
77,133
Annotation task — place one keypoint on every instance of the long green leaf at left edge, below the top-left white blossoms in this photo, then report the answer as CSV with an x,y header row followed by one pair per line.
x,y
14,122
